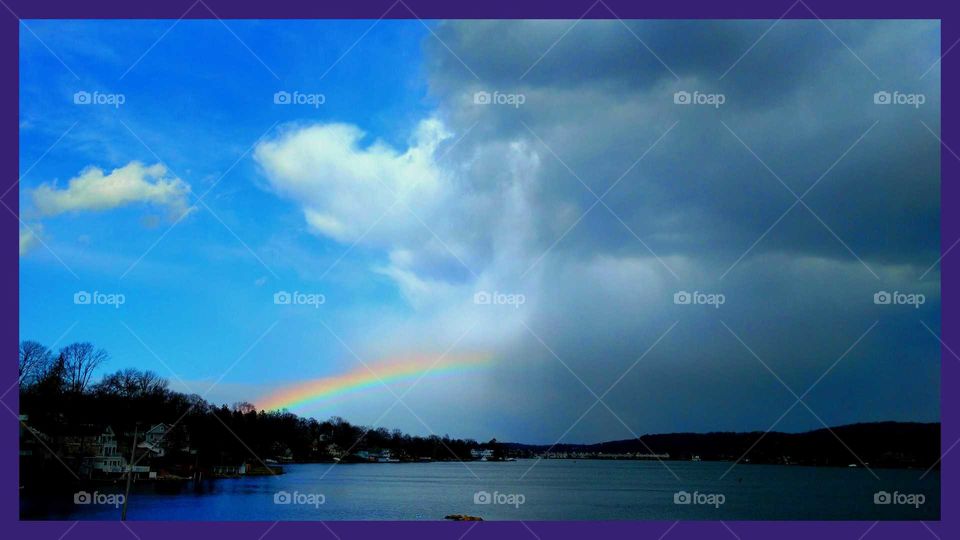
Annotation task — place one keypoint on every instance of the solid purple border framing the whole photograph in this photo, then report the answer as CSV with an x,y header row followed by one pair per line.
x,y
948,12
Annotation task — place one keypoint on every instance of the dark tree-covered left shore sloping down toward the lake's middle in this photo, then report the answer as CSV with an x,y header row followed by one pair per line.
x,y
64,407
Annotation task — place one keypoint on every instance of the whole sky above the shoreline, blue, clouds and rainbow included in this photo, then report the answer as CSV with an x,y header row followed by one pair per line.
x,y
538,231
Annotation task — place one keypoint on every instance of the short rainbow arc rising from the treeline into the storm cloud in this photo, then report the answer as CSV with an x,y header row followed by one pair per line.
x,y
326,390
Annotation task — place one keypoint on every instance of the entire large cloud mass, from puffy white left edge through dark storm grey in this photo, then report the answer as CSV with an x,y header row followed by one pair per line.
x,y
512,207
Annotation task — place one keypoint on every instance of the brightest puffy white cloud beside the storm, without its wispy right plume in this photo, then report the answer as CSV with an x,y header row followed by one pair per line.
x,y
345,188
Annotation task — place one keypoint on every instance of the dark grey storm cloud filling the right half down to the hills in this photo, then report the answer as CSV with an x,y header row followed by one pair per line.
x,y
800,297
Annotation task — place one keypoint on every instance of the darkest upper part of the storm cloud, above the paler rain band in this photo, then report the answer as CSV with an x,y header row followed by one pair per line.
x,y
799,100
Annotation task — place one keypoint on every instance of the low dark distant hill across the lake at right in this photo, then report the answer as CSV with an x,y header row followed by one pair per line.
x,y
879,444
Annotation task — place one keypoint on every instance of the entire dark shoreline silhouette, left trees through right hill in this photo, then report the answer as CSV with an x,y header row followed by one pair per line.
x,y
66,411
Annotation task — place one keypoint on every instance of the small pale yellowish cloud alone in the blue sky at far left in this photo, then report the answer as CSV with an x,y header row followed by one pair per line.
x,y
93,190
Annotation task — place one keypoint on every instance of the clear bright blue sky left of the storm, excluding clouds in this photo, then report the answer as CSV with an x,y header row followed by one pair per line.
x,y
199,110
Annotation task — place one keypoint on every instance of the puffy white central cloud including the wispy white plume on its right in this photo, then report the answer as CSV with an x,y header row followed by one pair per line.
x,y
435,230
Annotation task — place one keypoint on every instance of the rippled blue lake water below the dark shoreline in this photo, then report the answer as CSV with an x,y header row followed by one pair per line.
x,y
526,490
